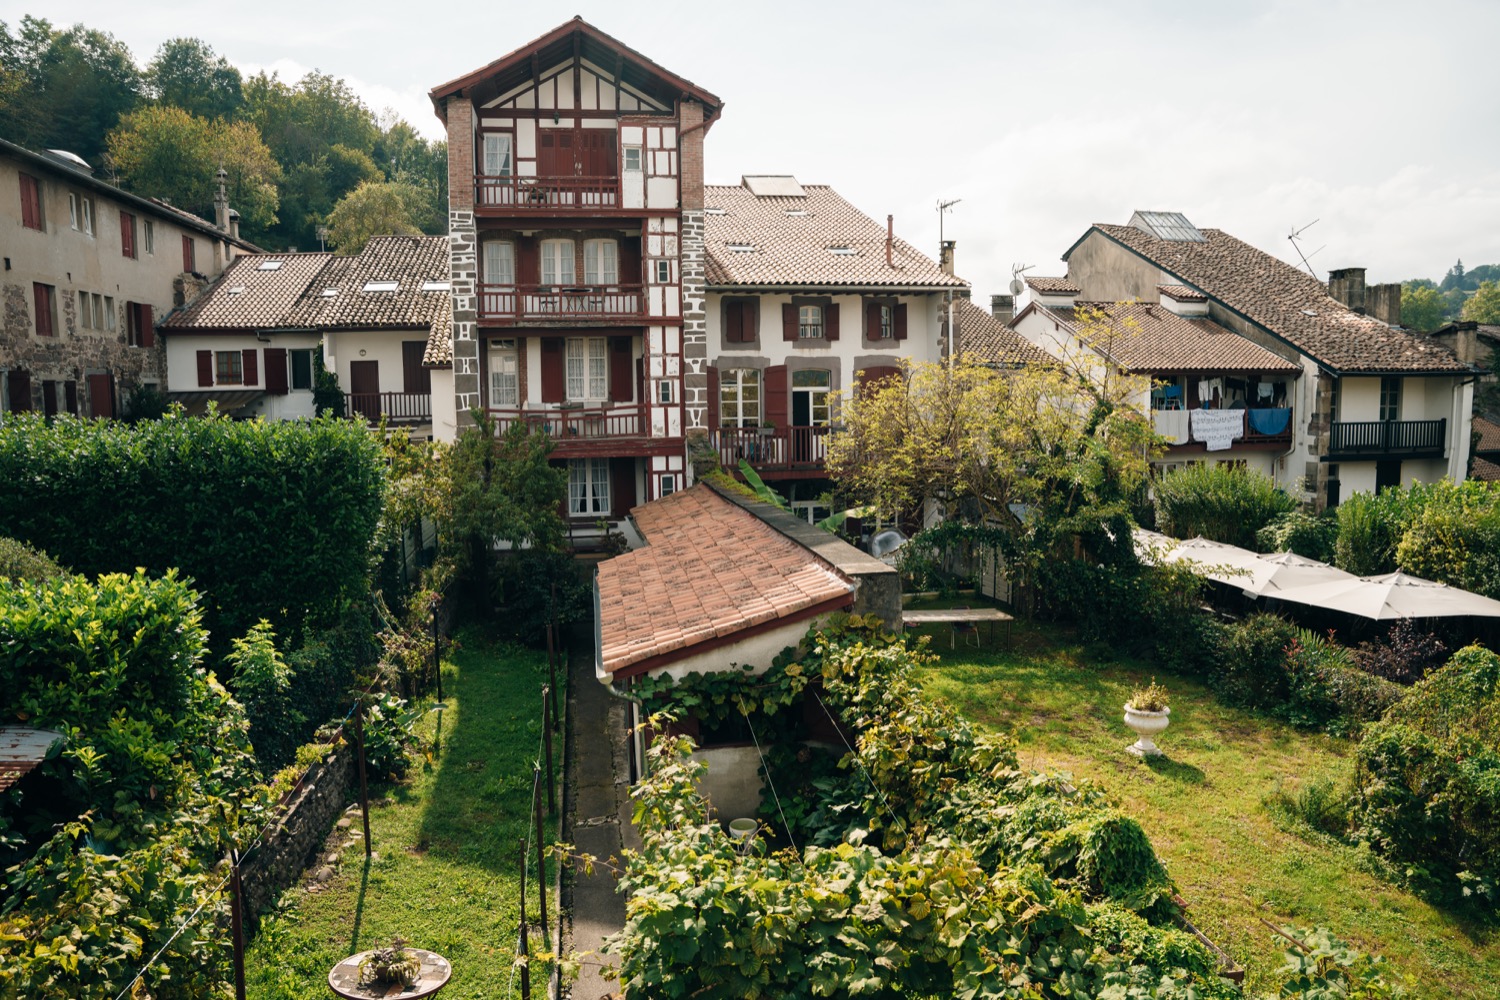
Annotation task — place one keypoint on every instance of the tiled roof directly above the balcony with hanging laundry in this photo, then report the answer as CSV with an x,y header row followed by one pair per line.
x,y
1151,338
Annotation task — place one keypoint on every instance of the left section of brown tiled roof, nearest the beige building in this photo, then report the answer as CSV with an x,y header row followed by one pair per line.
x,y
251,298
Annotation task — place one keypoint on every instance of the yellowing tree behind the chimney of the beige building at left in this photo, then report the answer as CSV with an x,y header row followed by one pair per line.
x,y
164,152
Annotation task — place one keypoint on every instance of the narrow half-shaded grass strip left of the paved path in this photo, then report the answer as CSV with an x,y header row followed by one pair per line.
x,y
448,848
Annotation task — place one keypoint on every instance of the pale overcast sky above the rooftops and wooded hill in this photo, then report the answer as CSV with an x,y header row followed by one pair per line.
x,y
1375,119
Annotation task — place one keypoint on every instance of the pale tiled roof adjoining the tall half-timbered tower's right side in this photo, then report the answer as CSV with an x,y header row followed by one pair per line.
x,y
799,250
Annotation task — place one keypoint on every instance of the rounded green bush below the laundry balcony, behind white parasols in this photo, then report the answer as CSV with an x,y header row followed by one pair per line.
x,y
1219,501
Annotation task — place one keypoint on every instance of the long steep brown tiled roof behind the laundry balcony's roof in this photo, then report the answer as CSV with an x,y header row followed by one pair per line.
x,y
1289,304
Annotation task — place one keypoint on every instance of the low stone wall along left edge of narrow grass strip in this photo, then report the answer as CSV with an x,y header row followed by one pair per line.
x,y
292,845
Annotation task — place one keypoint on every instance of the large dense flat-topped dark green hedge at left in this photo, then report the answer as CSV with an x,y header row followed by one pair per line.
x,y
271,519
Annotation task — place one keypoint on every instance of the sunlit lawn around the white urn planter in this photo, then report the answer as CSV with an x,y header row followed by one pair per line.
x,y
1204,804
